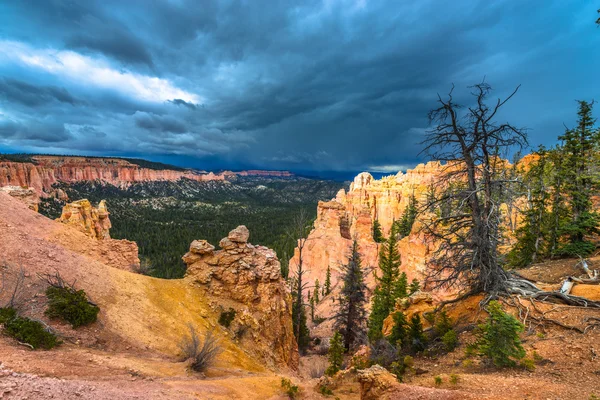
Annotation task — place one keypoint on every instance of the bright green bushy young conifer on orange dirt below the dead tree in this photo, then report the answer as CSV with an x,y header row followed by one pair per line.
x,y
498,338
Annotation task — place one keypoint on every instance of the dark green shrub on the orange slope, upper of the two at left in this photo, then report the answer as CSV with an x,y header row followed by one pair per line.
x,y
71,305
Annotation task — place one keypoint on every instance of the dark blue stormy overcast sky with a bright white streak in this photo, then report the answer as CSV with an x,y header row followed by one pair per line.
x,y
302,85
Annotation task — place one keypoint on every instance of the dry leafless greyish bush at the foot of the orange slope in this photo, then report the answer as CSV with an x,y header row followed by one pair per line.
x,y
201,353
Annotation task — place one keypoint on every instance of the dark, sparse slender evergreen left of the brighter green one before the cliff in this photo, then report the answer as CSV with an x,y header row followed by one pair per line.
x,y
350,317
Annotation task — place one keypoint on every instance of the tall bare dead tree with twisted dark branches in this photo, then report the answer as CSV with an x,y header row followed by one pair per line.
x,y
472,145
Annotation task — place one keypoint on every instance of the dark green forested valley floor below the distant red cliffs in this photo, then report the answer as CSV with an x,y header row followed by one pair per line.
x,y
164,217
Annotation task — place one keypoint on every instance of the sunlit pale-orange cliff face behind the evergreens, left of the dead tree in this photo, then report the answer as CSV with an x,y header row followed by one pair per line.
x,y
351,215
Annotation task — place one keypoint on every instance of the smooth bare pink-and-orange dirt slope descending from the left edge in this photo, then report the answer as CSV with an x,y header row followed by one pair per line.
x,y
137,311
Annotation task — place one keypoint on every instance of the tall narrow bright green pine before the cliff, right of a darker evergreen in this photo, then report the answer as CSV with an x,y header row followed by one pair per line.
x,y
384,295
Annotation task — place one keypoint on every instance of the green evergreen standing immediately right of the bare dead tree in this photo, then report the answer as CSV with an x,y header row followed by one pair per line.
x,y
533,235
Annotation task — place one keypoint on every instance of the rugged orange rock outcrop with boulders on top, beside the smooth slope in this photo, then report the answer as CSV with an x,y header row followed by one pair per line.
x,y
247,279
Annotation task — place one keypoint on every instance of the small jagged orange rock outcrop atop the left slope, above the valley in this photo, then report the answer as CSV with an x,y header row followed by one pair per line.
x,y
92,221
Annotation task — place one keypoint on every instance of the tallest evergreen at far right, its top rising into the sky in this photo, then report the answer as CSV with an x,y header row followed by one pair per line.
x,y
580,160
